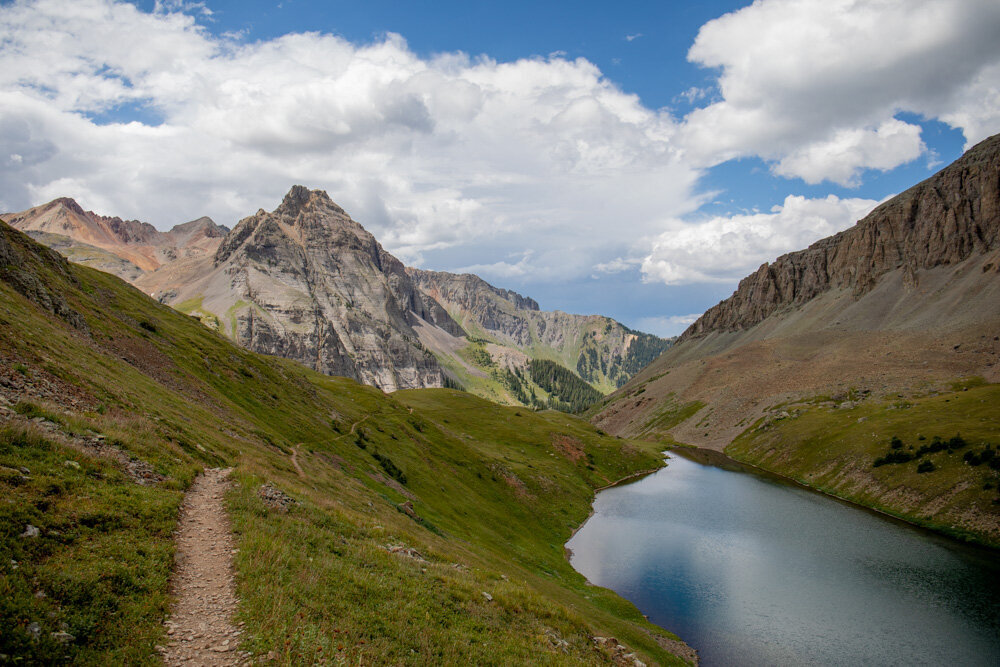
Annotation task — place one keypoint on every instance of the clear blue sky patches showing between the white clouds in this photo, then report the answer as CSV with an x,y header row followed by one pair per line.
x,y
640,46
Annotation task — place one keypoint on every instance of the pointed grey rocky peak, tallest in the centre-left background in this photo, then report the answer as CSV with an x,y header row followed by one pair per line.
x,y
308,283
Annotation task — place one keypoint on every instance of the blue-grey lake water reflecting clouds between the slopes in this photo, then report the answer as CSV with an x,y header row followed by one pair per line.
x,y
751,570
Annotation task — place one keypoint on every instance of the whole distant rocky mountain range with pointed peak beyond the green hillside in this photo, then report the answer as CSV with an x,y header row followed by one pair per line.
x,y
307,282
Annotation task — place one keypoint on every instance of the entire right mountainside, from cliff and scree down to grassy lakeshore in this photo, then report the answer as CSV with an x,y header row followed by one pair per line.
x,y
881,338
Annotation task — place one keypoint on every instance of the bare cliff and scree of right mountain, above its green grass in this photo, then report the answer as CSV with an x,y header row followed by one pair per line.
x,y
905,302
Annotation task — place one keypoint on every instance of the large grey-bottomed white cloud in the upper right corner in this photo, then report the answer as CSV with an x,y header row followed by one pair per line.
x,y
815,86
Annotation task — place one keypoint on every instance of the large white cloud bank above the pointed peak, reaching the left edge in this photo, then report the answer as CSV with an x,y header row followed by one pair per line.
x,y
490,159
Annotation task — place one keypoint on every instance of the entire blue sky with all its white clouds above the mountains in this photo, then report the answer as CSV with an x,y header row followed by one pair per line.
x,y
633,159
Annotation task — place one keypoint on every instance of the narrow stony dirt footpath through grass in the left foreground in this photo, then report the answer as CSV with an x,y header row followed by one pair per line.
x,y
200,627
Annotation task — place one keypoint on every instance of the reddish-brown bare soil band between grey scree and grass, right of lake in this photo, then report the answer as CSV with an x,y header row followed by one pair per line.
x,y
740,384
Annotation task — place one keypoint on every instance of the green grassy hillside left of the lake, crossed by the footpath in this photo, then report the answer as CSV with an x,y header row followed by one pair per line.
x,y
403,510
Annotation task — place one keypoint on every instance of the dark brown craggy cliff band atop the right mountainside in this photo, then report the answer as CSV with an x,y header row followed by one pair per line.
x,y
941,221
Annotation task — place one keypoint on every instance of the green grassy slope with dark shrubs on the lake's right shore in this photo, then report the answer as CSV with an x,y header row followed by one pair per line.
x,y
927,459
